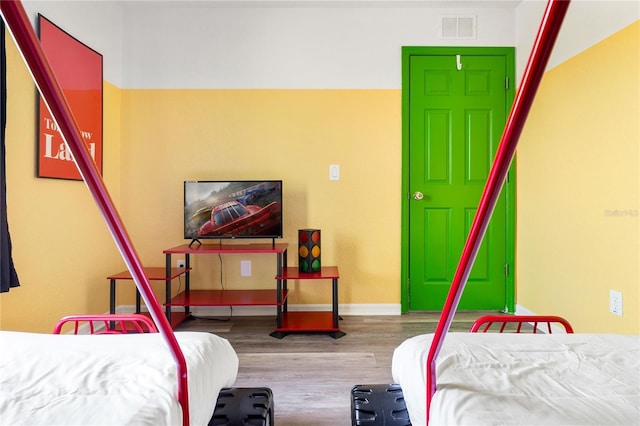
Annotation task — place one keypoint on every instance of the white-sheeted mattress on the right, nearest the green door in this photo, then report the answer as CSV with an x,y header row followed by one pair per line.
x,y
523,379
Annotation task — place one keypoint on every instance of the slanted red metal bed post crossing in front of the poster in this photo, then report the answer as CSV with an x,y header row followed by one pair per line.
x,y
20,27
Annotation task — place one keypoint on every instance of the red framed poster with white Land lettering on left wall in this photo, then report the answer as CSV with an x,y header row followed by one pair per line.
x,y
78,69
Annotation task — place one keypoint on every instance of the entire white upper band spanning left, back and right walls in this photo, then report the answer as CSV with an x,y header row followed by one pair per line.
x,y
320,44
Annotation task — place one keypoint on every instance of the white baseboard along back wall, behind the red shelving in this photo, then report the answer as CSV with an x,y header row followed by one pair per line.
x,y
346,309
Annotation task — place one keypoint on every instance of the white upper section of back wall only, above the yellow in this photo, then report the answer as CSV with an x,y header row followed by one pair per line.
x,y
289,44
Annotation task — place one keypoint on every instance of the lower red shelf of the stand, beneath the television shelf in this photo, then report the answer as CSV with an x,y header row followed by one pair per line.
x,y
226,298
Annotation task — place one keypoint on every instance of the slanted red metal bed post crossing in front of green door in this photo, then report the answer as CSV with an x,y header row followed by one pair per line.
x,y
540,53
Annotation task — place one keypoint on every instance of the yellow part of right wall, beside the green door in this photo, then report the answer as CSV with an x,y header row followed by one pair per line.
x,y
578,189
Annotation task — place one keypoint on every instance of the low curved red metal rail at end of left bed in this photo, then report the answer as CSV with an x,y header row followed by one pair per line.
x,y
109,324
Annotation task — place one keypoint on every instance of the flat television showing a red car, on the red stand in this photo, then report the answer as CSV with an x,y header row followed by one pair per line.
x,y
232,209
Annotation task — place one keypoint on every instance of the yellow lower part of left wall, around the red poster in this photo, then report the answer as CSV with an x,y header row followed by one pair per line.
x,y
61,248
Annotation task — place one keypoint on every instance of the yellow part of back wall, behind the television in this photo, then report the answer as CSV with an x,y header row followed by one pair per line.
x,y
293,135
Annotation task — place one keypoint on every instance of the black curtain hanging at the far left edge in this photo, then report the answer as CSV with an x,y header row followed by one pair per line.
x,y
8,275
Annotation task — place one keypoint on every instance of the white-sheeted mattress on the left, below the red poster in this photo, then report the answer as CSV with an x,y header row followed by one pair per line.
x,y
131,379
